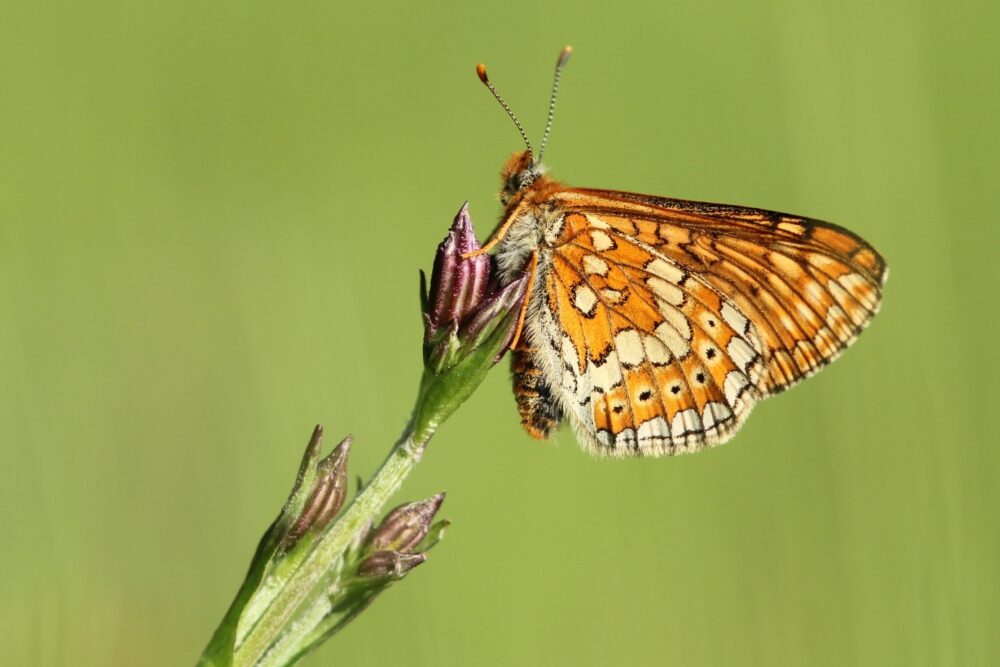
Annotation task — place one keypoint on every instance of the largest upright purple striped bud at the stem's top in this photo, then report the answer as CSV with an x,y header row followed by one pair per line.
x,y
457,283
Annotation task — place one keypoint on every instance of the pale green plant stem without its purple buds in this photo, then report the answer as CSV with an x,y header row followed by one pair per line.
x,y
283,601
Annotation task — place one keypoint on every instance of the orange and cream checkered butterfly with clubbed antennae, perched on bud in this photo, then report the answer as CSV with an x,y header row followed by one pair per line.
x,y
654,325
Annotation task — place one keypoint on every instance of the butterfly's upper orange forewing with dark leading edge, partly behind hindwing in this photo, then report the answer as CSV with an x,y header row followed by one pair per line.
x,y
808,287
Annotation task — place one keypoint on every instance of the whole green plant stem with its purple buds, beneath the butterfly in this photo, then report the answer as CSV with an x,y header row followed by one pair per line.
x,y
308,578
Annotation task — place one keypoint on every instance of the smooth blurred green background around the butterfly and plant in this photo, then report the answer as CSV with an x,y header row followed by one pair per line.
x,y
211,220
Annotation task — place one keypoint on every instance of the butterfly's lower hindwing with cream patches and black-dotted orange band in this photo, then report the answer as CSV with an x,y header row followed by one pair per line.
x,y
648,358
